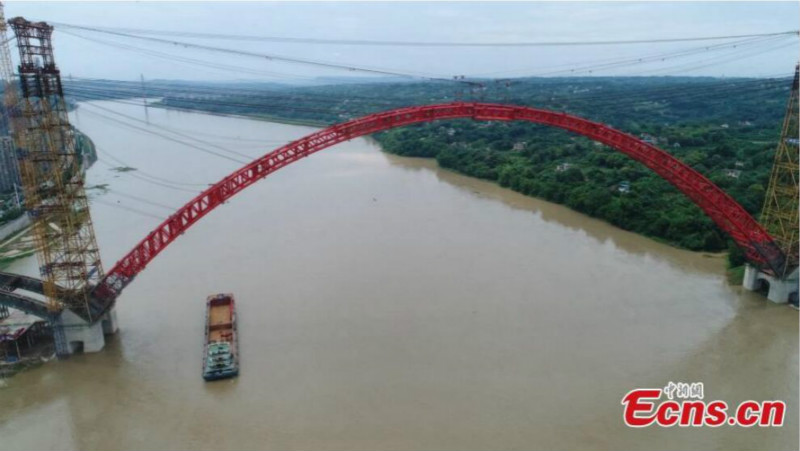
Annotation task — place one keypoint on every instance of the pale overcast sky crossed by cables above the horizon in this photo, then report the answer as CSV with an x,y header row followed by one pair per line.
x,y
447,21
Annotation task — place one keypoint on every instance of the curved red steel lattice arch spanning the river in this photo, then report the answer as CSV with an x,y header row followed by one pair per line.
x,y
731,217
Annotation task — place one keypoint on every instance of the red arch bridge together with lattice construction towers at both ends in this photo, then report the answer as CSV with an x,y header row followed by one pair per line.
x,y
73,279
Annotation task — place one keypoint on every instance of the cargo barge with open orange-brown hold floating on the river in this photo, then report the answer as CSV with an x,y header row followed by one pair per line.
x,y
221,350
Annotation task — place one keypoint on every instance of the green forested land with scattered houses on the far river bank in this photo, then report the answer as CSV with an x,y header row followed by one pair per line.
x,y
727,129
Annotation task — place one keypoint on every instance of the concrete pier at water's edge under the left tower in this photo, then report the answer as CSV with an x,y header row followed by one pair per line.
x,y
74,335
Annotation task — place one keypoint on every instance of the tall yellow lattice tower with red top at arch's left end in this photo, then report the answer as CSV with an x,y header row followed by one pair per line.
x,y
52,175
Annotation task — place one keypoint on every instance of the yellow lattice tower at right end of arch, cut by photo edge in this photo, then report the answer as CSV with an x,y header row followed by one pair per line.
x,y
780,215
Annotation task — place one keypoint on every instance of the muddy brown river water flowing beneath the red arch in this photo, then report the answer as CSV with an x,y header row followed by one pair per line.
x,y
385,303
